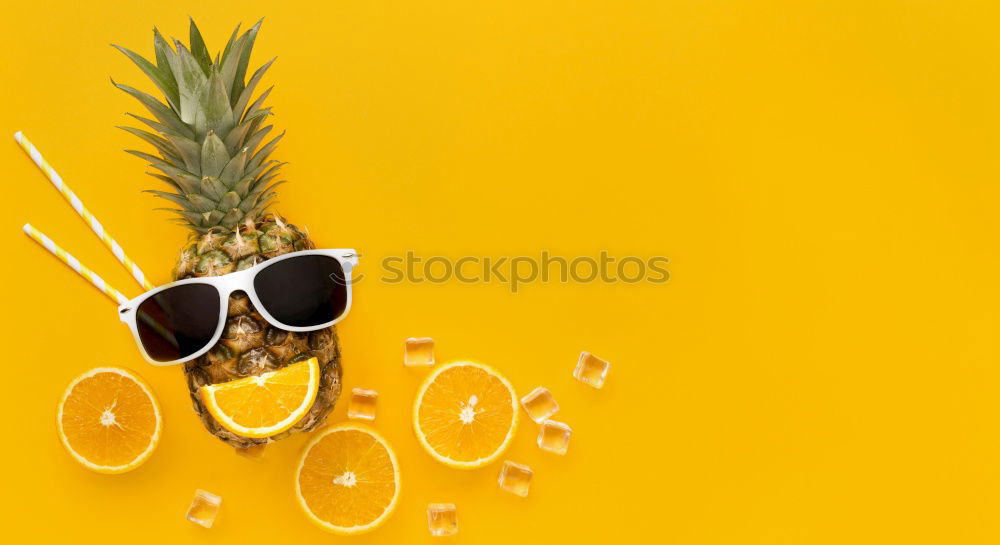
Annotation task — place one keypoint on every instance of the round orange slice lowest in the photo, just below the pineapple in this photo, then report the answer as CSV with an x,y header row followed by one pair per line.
x,y
348,479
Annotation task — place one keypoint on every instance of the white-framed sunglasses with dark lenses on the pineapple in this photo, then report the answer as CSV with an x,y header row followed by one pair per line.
x,y
299,291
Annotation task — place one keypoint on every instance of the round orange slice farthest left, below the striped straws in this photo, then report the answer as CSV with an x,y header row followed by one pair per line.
x,y
109,420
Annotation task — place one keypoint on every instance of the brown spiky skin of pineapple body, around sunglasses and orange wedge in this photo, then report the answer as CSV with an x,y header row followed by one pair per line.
x,y
249,345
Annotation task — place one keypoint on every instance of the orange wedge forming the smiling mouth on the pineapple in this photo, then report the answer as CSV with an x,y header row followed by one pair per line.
x,y
264,405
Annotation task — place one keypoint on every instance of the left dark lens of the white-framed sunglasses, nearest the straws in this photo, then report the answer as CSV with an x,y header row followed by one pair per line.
x,y
179,321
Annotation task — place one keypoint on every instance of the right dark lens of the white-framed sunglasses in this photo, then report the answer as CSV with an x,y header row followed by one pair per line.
x,y
303,291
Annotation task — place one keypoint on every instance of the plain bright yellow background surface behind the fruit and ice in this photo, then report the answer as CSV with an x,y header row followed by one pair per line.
x,y
821,367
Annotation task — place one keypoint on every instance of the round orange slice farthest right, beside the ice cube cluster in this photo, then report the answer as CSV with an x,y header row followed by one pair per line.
x,y
465,414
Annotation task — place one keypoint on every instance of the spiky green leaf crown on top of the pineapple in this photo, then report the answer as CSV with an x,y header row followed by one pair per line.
x,y
207,133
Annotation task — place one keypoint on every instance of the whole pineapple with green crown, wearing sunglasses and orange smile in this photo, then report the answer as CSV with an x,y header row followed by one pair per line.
x,y
209,137
